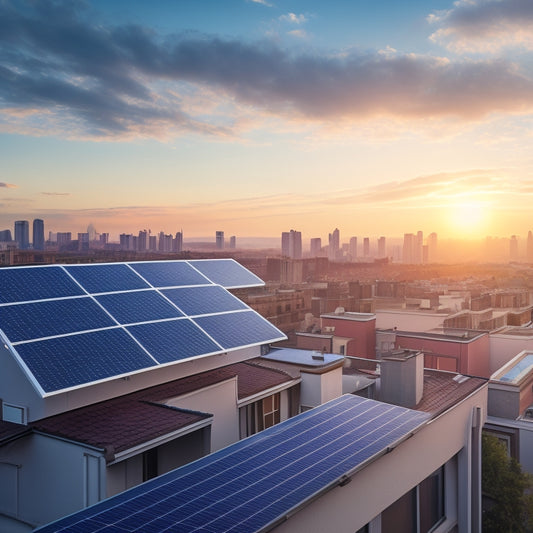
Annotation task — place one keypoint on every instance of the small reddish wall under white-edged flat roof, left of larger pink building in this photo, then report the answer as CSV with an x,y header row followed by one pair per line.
x,y
362,333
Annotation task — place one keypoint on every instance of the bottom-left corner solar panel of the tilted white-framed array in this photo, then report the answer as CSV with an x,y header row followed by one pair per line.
x,y
64,362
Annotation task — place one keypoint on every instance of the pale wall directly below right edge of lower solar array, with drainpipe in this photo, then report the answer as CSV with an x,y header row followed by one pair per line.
x,y
345,509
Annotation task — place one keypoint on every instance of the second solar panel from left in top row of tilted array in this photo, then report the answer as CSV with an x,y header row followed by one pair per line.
x,y
106,277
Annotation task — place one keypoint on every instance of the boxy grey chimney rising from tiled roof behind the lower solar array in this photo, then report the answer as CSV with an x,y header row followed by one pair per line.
x,y
402,377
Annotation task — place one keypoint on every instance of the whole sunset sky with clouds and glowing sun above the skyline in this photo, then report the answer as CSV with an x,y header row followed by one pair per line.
x,y
254,117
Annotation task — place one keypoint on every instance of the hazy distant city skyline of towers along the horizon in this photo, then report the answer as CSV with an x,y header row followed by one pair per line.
x,y
414,249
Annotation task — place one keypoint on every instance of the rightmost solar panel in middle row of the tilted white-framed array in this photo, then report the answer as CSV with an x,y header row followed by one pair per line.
x,y
203,300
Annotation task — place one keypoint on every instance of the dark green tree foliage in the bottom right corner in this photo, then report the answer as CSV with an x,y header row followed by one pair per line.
x,y
508,504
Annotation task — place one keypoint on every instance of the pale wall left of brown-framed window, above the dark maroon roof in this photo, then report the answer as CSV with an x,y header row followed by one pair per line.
x,y
221,401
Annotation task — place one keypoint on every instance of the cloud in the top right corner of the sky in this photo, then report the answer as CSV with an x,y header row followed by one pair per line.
x,y
485,25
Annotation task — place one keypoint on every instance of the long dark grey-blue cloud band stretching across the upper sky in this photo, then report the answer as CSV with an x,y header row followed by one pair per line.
x,y
106,81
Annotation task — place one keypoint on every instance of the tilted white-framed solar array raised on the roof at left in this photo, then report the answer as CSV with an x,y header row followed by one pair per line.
x,y
72,325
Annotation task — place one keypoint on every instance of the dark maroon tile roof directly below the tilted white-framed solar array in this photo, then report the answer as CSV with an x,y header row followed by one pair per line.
x,y
127,421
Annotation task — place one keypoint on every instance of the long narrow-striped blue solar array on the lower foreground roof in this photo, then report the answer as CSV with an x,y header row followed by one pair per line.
x,y
252,484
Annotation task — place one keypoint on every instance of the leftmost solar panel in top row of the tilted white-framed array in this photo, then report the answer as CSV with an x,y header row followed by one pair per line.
x,y
35,283
